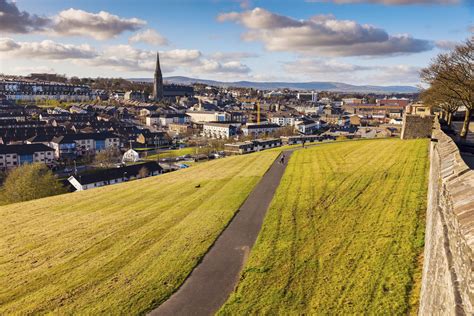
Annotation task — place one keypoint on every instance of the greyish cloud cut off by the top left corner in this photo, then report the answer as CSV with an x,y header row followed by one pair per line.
x,y
13,20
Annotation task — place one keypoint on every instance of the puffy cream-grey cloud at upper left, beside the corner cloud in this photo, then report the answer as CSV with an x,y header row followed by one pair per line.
x,y
101,26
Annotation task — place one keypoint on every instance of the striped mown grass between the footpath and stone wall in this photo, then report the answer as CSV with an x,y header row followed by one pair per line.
x,y
343,234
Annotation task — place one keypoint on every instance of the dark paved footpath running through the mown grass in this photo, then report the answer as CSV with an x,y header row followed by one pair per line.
x,y
211,282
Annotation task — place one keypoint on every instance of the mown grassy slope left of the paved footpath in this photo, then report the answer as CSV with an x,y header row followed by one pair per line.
x,y
121,249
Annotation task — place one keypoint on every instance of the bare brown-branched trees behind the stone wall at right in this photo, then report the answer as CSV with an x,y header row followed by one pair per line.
x,y
451,83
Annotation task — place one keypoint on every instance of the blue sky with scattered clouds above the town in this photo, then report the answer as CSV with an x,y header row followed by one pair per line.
x,y
377,42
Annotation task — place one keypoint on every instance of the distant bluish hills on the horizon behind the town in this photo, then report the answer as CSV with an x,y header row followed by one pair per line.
x,y
313,85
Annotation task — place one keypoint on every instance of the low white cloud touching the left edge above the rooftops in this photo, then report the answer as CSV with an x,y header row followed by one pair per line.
x,y
46,49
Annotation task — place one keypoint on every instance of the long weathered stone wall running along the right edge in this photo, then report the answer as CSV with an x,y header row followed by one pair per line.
x,y
448,282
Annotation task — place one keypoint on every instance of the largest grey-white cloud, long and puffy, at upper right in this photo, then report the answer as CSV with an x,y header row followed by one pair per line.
x,y
322,35
